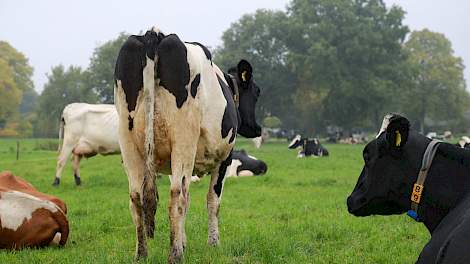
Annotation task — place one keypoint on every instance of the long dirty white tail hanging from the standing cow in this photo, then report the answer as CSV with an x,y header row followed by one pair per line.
x,y
149,192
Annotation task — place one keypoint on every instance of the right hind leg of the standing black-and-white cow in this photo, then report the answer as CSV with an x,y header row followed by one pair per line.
x,y
182,164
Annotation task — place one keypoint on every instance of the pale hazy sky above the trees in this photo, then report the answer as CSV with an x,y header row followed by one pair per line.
x,y
53,32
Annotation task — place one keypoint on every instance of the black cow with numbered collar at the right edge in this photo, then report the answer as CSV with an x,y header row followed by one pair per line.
x,y
406,171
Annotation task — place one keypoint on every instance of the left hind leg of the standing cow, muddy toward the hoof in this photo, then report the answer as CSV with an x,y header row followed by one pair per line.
x,y
134,164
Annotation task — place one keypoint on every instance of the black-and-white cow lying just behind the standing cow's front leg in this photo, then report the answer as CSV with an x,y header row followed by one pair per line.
x,y
242,165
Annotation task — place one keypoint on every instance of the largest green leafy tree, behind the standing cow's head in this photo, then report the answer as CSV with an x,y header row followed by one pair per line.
x,y
332,62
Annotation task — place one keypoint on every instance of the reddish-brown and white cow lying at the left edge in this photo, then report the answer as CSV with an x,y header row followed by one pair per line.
x,y
29,218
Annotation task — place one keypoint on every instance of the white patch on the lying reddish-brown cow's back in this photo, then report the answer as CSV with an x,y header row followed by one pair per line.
x,y
17,207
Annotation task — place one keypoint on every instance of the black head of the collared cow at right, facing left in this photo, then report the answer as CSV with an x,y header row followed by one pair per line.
x,y
392,163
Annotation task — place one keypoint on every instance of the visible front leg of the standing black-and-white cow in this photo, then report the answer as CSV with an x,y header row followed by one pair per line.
x,y
214,197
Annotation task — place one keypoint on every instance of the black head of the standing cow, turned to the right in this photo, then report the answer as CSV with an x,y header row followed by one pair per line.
x,y
248,96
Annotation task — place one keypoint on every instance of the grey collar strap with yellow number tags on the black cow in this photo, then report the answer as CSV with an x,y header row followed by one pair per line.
x,y
423,172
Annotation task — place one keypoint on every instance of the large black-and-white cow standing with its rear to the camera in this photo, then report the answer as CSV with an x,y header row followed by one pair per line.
x,y
178,113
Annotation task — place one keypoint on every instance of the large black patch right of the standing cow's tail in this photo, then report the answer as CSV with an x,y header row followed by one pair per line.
x,y
173,67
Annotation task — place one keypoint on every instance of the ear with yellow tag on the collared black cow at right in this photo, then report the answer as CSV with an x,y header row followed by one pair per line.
x,y
397,132
